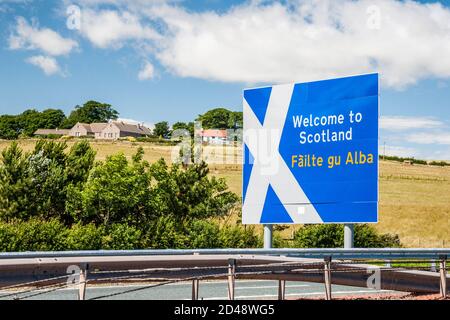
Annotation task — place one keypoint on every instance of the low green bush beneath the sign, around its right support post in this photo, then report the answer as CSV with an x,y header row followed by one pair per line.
x,y
332,236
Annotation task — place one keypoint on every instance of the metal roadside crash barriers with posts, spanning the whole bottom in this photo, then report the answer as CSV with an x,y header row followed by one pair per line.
x,y
41,272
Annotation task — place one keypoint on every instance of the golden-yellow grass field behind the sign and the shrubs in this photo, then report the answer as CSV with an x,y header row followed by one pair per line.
x,y
414,199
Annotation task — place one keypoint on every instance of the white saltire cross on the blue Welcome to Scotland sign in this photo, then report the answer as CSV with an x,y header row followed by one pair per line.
x,y
269,167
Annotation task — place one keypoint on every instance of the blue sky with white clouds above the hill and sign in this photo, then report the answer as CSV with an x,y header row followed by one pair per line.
x,y
155,60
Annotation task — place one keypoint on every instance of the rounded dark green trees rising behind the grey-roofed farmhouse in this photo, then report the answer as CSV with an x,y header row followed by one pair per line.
x,y
91,111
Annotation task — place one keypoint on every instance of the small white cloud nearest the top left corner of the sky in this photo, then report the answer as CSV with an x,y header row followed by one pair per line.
x,y
30,37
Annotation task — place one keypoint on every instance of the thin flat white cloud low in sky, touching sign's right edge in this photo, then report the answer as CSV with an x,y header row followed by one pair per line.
x,y
399,123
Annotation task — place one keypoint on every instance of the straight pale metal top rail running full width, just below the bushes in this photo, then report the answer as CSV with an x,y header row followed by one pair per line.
x,y
334,253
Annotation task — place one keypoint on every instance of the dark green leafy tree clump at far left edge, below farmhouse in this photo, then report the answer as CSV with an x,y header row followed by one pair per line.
x,y
37,184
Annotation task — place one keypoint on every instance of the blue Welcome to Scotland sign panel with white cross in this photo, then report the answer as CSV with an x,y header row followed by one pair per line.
x,y
311,152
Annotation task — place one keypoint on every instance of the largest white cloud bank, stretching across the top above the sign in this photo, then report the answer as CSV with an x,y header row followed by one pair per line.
x,y
262,41
